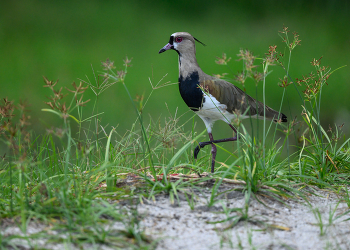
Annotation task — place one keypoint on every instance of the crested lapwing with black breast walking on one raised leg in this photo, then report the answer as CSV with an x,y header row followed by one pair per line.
x,y
212,98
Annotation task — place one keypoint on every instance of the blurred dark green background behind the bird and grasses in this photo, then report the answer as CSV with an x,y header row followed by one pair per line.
x,y
64,39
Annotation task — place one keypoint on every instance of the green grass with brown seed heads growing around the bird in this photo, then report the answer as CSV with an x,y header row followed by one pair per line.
x,y
67,176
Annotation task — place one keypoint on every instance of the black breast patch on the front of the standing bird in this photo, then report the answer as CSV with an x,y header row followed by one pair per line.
x,y
190,91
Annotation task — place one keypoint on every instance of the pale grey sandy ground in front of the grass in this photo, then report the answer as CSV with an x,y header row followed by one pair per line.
x,y
271,226
